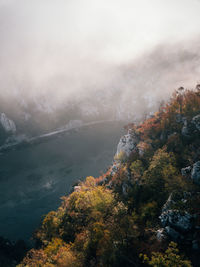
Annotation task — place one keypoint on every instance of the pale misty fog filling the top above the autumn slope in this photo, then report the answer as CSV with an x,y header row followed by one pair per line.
x,y
62,52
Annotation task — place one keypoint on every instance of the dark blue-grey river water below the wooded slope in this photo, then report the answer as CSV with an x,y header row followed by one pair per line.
x,y
33,179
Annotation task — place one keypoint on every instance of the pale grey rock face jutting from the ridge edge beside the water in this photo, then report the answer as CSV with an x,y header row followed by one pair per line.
x,y
127,144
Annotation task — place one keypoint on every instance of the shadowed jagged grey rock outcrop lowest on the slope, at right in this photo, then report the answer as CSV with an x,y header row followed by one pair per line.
x,y
177,224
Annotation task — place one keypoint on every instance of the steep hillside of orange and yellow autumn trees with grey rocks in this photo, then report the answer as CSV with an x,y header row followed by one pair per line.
x,y
145,210
